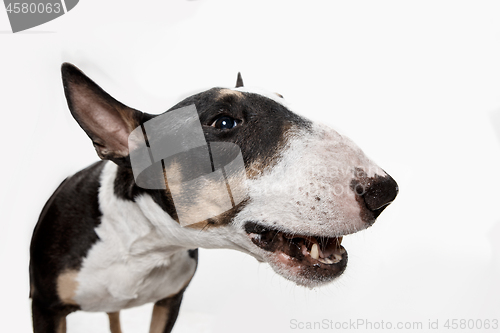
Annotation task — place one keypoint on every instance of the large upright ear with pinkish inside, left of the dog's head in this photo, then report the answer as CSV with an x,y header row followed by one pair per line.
x,y
106,121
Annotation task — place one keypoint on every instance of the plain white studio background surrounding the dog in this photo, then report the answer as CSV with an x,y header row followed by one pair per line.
x,y
416,84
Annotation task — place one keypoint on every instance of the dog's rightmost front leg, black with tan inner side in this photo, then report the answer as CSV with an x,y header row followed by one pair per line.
x,y
165,313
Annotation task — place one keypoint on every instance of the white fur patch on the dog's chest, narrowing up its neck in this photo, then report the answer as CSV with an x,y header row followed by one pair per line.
x,y
131,264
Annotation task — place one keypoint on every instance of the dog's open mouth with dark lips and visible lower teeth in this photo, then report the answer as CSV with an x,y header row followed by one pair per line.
x,y
316,258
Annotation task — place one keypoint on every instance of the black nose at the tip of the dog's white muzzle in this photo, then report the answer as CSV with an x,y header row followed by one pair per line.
x,y
380,192
